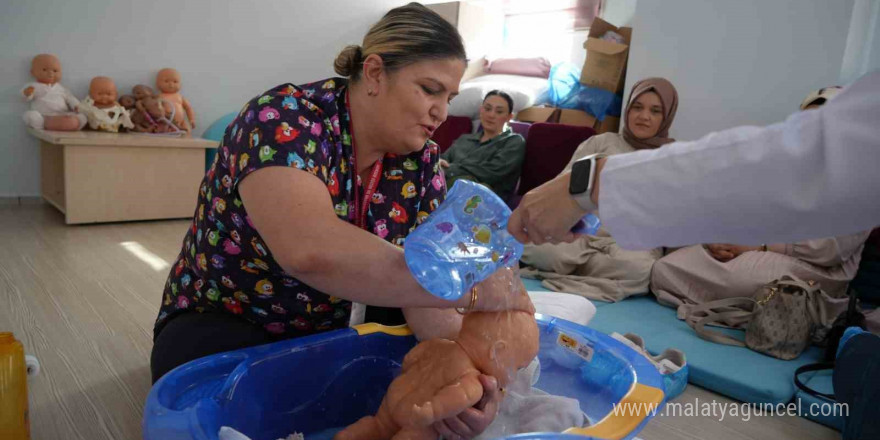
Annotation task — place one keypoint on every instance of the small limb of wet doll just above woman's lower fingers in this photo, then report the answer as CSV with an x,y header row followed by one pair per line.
x,y
449,401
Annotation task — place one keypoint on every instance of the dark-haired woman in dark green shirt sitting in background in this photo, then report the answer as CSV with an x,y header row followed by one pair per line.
x,y
492,156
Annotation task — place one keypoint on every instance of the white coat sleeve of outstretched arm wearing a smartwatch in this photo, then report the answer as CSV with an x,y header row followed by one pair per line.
x,y
815,175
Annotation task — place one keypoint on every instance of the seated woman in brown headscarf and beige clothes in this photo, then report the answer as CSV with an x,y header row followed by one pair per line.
x,y
594,266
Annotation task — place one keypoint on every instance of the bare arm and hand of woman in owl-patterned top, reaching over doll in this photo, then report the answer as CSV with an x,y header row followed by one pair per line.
x,y
292,211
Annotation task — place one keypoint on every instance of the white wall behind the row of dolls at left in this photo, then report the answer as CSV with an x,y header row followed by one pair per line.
x,y
227,51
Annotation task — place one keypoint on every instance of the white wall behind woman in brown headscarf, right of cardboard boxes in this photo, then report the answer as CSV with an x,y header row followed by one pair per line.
x,y
738,62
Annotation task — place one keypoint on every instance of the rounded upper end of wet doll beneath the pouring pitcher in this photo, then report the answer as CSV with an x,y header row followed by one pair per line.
x,y
500,343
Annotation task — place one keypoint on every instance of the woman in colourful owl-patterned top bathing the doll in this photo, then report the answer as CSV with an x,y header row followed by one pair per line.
x,y
309,200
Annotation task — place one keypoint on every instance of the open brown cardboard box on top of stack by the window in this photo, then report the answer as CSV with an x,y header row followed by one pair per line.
x,y
605,66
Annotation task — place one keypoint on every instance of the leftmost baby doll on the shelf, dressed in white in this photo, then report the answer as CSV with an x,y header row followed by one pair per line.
x,y
53,107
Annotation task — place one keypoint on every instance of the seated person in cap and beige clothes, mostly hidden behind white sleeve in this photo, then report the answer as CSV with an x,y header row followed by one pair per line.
x,y
702,273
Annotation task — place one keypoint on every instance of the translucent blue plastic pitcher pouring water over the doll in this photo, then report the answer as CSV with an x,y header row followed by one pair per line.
x,y
462,243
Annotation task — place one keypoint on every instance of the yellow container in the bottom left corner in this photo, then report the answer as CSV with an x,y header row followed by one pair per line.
x,y
14,423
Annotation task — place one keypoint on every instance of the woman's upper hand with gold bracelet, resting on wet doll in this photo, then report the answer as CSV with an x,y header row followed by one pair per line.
x,y
503,290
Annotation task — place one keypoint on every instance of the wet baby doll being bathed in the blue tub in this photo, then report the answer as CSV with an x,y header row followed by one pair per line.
x,y
439,378
